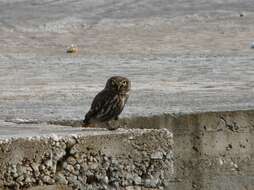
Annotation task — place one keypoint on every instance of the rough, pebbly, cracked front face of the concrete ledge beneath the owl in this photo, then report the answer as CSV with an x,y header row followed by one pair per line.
x,y
122,159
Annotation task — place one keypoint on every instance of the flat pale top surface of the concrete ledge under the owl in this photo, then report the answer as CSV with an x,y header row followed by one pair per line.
x,y
10,131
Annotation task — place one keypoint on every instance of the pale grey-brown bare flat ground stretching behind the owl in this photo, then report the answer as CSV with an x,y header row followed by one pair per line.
x,y
182,56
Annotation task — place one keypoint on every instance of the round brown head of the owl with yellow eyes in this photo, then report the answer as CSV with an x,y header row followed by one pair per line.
x,y
118,84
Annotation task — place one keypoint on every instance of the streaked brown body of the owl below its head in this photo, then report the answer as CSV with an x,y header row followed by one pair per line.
x,y
106,105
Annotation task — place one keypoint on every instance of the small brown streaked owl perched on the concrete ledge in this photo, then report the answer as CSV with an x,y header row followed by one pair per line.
x,y
109,103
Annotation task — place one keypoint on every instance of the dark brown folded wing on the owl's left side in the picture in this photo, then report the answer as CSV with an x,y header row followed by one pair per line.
x,y
97,105
